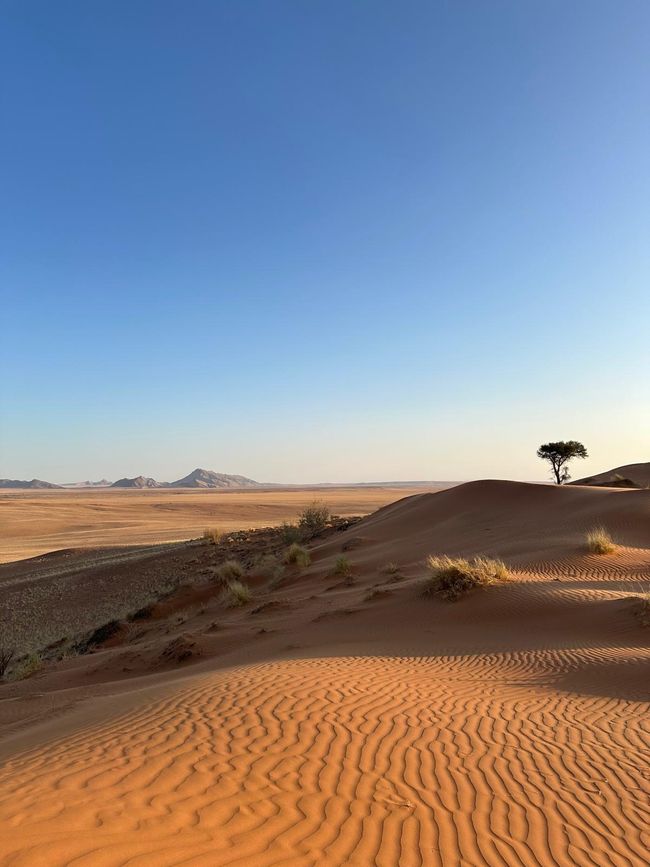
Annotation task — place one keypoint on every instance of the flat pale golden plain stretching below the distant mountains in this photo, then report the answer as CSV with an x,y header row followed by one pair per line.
x,y
35,522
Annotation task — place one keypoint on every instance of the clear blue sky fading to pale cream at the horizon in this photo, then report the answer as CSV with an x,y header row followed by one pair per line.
x,y
323,241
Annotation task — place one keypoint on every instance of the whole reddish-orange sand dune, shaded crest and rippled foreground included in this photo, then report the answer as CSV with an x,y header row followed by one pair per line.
x,y
353,722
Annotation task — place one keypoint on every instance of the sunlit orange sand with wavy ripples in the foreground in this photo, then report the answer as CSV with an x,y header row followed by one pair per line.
x,y
344,761
